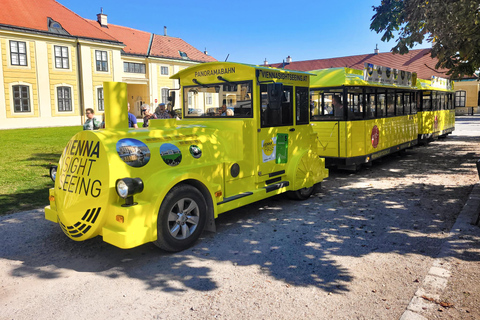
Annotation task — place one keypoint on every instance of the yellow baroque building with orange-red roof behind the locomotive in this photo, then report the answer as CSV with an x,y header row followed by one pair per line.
x,y
53,64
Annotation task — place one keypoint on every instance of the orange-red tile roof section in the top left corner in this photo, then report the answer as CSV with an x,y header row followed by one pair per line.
x,y
34,14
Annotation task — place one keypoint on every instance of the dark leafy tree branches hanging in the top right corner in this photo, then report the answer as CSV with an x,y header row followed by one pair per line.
x,y
452,26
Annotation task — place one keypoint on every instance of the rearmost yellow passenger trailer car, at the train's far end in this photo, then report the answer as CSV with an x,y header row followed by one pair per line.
x,y
436,111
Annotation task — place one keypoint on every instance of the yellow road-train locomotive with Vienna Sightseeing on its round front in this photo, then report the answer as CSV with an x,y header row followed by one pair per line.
x,y
249,138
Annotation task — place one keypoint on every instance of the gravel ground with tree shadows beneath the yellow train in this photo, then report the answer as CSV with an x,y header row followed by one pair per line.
x,y
364,247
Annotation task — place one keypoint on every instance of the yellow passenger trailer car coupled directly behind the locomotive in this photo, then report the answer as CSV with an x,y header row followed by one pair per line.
x,y
360,116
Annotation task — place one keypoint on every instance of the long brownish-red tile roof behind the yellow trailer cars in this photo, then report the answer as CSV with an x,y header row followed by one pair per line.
x,y
418,61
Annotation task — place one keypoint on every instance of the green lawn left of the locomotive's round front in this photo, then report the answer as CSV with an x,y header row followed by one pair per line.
x,y
25,160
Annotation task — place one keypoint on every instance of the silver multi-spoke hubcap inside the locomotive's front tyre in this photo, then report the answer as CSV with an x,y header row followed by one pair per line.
x,y
183,218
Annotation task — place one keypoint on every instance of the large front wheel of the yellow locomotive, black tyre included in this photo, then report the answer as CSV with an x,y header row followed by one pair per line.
x,y
181,218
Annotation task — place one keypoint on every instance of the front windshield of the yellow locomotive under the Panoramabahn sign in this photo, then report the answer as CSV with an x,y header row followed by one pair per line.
x,y
232,99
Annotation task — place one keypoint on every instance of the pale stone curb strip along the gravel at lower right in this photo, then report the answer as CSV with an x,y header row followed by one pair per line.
x,y
437,278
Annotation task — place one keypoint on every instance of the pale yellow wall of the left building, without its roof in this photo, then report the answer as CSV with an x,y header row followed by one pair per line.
x,y
43,79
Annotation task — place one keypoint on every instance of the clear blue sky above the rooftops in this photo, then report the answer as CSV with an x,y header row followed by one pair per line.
x,y
251,31
